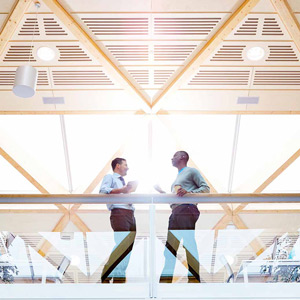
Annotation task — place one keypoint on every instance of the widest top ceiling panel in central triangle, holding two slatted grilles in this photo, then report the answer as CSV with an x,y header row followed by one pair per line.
x,y
151,26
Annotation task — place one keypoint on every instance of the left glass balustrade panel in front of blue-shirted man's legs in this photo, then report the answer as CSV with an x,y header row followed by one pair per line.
x,y
104,256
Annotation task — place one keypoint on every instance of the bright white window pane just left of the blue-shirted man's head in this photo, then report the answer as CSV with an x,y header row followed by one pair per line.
x,y
89,148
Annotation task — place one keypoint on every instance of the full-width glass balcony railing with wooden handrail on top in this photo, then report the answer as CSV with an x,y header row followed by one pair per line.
x,y
63,246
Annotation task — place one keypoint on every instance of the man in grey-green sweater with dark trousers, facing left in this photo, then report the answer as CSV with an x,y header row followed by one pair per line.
x,y
183,220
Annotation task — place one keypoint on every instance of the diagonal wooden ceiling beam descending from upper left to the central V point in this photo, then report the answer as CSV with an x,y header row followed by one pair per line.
x,y
89,44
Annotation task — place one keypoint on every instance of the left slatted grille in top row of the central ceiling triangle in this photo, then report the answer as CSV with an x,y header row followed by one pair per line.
x,y
117,26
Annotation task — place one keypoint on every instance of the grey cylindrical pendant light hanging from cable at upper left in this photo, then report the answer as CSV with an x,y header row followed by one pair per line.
x,y
26,76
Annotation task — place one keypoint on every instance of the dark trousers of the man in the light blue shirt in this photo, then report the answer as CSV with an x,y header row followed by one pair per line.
x,y
123,223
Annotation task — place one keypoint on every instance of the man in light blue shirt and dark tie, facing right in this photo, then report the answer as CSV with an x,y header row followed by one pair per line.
x,y
122,222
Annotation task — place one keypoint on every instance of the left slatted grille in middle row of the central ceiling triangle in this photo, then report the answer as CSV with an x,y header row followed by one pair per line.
x,y
129,52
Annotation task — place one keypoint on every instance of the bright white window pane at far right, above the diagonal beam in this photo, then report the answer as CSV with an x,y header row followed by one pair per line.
x,y
265,143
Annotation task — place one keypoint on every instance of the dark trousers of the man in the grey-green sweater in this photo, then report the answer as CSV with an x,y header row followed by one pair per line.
x,y
182,227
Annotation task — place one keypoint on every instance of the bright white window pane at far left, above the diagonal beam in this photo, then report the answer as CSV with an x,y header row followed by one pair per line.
x,y
41,139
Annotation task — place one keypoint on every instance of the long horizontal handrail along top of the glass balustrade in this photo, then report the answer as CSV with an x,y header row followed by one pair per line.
x,y
147,198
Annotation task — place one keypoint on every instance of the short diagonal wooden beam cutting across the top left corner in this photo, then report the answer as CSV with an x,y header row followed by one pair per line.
x,y
12,22
